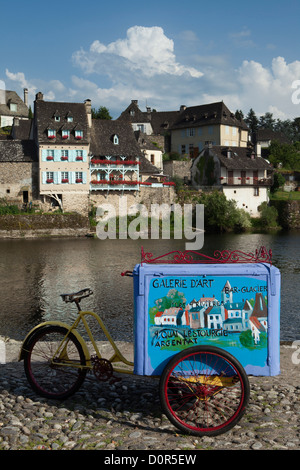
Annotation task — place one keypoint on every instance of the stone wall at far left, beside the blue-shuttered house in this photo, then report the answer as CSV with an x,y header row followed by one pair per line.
x,y
17,177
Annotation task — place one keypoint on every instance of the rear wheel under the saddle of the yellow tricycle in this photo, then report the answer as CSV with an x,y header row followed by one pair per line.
x,y
54,367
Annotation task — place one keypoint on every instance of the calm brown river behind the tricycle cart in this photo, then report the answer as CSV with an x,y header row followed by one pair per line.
x,y
35,272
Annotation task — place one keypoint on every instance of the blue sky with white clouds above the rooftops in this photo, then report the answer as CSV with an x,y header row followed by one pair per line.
x,y
164,53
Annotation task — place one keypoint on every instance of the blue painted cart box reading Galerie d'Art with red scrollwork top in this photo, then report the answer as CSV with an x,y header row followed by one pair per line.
x,y
231,302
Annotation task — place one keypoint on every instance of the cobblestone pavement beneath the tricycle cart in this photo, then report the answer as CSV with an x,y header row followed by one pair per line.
x,y
127,415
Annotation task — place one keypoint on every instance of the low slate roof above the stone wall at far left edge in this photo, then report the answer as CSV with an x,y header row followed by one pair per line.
x,y
18,151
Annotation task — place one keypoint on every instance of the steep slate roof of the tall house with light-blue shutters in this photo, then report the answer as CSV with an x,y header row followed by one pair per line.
x,y
45,112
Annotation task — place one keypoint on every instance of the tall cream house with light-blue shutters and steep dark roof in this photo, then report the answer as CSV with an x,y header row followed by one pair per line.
x,y
62,133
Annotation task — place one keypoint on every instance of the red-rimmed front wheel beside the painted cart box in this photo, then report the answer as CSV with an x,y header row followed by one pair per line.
x,y
204,391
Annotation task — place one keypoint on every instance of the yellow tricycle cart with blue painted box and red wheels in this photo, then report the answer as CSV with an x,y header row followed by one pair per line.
x,y
201,325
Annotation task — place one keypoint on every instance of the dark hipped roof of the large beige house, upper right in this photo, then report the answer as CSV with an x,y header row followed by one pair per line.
x,y
207,114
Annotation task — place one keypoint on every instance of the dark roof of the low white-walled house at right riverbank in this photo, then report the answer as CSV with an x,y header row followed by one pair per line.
x,y
240,158
